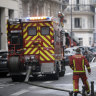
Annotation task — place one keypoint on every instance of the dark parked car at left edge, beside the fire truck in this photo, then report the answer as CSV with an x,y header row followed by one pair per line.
x,y
3,63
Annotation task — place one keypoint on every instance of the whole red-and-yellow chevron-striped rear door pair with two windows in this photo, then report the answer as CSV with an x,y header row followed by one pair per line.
x,y
37,40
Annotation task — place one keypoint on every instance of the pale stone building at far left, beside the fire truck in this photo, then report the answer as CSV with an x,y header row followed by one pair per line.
x,y
8,9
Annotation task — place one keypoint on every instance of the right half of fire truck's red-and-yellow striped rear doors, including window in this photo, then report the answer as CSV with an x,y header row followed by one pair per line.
x,y
45,30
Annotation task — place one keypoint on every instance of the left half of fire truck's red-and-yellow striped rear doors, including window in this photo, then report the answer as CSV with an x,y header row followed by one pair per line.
x,y
30,38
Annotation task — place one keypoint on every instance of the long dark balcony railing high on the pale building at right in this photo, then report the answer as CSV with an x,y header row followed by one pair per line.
x,y
81,8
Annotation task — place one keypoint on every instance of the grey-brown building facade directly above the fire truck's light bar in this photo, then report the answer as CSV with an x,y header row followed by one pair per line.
x,y
40,7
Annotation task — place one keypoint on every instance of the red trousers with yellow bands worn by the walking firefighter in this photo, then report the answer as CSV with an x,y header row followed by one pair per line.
x,y
76,82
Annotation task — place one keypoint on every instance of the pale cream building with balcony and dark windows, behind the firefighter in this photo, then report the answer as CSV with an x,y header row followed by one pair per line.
x,y
81,14
